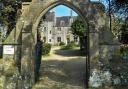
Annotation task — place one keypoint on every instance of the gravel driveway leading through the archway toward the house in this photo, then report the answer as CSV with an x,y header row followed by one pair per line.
x,y
63,69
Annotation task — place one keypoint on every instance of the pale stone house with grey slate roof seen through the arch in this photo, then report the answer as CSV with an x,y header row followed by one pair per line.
x,y
54,29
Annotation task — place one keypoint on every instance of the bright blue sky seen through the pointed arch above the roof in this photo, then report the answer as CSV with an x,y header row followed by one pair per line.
x,y
62,10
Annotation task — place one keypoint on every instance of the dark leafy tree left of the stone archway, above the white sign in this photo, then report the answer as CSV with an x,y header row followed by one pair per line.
x,y
9,13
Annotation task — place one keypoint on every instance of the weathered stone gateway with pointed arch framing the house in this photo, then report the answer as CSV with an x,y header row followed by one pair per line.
x,y
93,15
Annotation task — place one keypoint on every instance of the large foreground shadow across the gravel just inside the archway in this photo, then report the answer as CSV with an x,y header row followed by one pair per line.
x,y
69,72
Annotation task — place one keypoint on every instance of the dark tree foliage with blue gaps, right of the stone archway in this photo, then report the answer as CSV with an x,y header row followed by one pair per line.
x,y
118,12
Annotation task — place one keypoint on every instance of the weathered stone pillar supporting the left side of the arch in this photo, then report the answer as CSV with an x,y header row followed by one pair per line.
x,y
27,60
